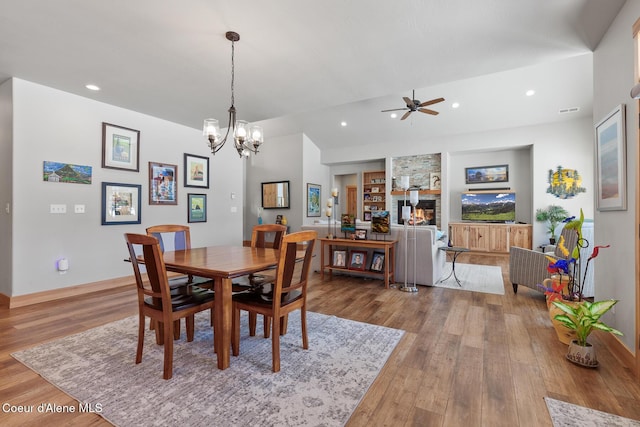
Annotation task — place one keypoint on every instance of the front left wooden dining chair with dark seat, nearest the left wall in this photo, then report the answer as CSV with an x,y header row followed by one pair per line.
x,y
158,302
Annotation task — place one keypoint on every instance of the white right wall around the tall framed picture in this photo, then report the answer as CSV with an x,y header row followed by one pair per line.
x,y
613,79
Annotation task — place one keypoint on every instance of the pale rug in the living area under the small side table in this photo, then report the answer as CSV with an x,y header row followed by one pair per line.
x,y
475,278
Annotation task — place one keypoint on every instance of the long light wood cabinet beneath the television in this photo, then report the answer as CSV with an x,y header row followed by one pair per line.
x,y
483,237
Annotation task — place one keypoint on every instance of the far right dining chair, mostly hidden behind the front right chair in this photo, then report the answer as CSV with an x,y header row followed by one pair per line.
x,y
259,236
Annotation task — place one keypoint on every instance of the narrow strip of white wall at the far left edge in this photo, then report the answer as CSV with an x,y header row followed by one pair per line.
x,y
6,171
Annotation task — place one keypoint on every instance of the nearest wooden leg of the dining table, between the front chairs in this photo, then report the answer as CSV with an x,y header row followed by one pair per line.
x,y
222,321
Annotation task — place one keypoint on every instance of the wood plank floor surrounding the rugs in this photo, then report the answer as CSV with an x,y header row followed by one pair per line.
x,y
467,359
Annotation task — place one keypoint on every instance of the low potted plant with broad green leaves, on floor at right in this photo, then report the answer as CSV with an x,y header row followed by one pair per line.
x,y
583,318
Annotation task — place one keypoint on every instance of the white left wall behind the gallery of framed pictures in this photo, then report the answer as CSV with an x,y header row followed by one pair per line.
x,y
57,126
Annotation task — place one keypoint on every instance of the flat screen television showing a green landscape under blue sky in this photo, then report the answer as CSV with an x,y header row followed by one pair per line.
x,y
489,206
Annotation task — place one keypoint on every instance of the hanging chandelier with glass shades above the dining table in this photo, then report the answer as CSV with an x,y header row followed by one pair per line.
x,y
247,138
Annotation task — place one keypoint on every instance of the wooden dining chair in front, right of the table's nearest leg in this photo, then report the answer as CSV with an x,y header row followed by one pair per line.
x,y
286,294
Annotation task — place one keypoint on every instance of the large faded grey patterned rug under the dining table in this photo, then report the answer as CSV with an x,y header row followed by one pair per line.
x,y
319,386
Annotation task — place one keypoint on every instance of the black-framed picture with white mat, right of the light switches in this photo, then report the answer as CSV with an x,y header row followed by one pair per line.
x,y
121,203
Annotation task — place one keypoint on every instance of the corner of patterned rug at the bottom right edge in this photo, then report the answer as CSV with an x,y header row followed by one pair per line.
x,y
565,414
